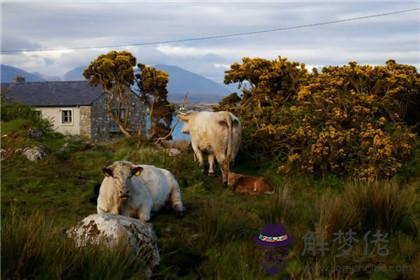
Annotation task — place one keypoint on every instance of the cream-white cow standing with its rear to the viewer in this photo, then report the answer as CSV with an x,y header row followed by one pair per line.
x,y
216,133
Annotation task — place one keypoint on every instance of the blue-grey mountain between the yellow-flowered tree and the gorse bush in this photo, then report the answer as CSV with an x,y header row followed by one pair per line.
x,y
200,89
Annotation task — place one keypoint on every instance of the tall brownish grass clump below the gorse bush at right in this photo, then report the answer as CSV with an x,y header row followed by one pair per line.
x,y
382,205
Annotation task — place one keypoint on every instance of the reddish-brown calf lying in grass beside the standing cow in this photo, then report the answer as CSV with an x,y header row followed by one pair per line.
x,y
249,184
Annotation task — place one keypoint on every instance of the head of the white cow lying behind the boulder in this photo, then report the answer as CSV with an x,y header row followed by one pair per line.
x,y
122,172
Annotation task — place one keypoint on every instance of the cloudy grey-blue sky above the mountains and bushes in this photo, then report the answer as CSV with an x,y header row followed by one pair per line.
x,y
65,25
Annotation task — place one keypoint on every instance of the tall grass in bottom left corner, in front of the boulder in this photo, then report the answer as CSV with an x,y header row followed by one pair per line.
x,y
32,248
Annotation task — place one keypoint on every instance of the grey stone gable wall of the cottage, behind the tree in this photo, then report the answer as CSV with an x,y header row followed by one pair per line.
x,y
102,124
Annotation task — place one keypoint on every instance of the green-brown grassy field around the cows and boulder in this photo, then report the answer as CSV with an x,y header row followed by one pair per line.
x,y
215,238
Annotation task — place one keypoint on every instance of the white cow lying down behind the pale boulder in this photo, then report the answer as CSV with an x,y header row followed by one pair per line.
x,y
135,190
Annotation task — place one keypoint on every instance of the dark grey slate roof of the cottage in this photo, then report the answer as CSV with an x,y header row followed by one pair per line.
x,y
52,94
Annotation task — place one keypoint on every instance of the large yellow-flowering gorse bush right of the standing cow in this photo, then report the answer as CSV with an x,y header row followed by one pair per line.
x,y
349,120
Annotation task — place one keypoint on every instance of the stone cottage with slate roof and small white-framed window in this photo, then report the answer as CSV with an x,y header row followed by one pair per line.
x,y
75,107
